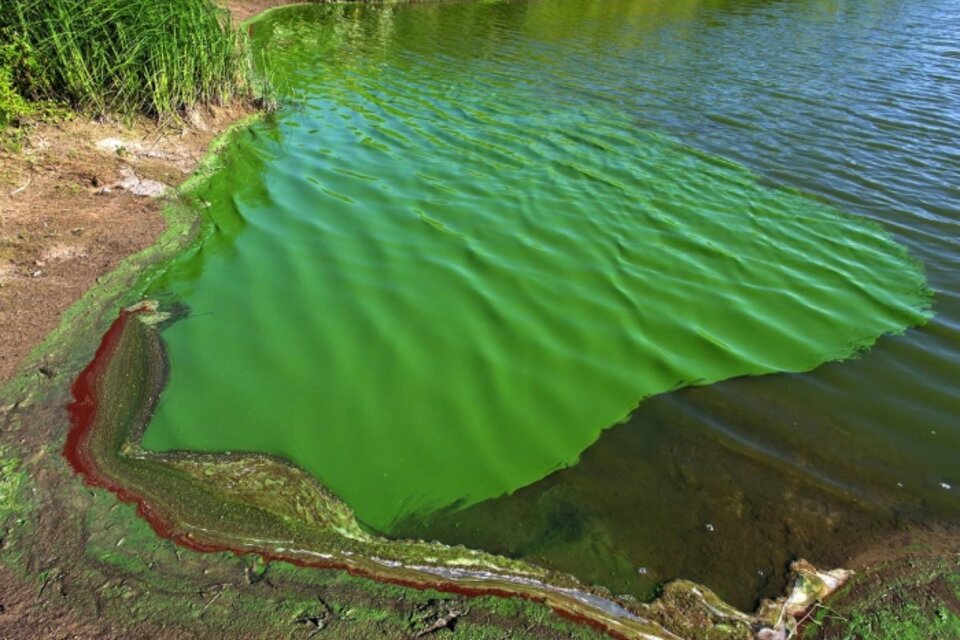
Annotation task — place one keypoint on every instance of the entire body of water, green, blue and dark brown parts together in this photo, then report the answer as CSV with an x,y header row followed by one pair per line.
x,y
477,235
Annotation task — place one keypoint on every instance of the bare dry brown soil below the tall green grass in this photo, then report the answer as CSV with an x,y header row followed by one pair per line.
x,y
68,212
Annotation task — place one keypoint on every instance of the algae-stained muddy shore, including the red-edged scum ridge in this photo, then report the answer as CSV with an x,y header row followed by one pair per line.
x,y
57,563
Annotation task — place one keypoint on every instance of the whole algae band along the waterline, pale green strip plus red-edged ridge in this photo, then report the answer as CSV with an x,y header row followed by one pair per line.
x,y
211,502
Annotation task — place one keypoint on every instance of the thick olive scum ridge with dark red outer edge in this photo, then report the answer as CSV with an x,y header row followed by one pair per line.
x,y
103,446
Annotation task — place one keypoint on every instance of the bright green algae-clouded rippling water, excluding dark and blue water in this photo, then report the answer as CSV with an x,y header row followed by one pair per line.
x,y
456,256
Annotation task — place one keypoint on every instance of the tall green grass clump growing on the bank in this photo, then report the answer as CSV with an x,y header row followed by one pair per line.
x,y
156,57
